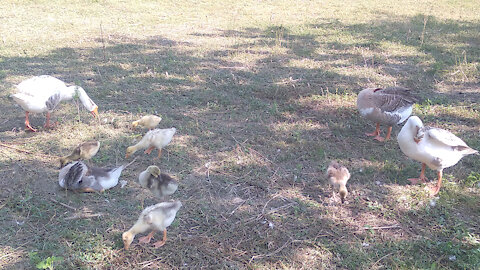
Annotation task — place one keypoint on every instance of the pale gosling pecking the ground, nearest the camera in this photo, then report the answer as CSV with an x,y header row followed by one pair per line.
x,y
155,218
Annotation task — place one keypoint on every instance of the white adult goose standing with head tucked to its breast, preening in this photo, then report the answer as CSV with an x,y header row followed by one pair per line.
x,y
433,147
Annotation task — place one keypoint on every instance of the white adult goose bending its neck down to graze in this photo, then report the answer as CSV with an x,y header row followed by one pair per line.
x,y
43,93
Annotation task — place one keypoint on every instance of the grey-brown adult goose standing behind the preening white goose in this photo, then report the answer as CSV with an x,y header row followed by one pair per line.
x,y
389,106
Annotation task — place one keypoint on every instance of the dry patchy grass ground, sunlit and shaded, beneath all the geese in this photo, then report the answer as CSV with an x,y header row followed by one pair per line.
x,y
262,94
